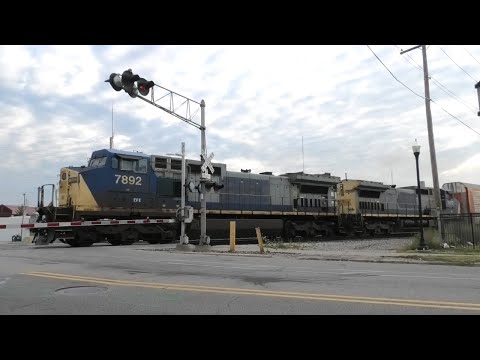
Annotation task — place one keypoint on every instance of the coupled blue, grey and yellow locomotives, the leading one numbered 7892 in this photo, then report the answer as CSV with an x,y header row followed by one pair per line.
x,y
122,186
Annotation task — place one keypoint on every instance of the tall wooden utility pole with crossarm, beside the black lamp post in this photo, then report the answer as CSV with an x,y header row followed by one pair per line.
x,y
431,141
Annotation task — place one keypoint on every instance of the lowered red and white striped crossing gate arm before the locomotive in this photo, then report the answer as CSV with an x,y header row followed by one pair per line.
x,y
86,223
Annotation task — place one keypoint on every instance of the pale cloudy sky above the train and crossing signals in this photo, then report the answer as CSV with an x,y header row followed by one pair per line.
x,y
311,108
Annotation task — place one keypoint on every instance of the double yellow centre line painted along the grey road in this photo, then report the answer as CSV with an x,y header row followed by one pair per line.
x,y
267,293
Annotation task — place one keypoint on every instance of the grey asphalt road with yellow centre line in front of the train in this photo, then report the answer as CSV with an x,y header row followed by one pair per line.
x,y
103,279
